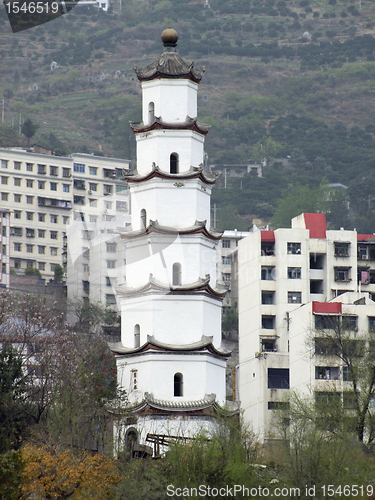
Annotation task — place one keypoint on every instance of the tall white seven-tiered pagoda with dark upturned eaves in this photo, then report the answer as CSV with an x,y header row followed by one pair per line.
x,y
169,360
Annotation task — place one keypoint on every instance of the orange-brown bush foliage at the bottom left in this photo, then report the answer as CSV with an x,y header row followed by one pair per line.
x,y
50,474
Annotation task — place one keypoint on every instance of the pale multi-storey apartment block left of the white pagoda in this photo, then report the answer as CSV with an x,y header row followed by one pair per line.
x,y
60,203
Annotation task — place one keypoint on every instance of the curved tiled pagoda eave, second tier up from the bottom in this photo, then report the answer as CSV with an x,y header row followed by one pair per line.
x,y
205,344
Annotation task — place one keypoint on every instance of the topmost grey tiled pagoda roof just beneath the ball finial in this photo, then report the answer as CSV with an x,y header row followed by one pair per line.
x,y
169,65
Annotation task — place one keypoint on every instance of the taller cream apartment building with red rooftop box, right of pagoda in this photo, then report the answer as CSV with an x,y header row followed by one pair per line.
x,y
278,271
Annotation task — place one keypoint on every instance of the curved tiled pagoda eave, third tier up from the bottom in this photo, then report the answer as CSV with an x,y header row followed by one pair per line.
x,y
202,286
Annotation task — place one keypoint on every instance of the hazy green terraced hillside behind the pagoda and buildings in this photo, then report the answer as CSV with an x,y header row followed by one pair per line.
x,y
299,72
